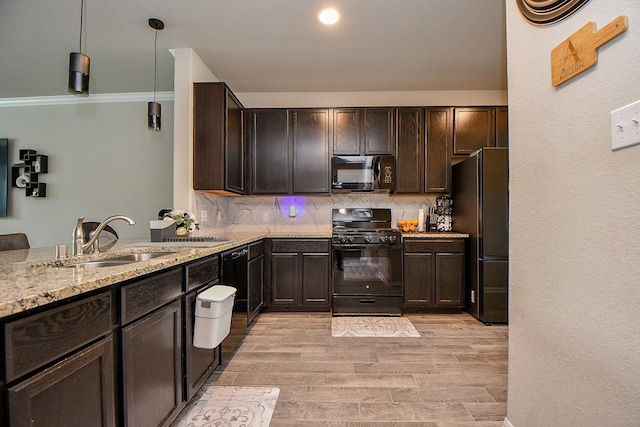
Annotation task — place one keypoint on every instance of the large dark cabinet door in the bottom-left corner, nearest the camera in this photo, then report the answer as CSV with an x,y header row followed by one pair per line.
x,y
78,391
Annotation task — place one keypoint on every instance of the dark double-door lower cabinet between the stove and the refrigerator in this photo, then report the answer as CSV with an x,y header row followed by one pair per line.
x,y
434,273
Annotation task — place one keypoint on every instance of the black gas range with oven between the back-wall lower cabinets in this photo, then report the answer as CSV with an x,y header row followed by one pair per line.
x,y
367,263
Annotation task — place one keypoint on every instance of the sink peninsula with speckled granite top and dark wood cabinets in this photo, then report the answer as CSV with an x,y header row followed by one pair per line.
x,y
109,345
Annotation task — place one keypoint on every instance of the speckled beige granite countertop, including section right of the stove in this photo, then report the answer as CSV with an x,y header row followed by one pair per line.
x,y
31,278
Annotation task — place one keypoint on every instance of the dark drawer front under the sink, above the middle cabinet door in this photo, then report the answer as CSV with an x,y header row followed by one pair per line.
x,y
144,296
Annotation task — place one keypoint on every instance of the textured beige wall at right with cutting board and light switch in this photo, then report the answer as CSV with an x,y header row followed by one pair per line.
x,y
574,229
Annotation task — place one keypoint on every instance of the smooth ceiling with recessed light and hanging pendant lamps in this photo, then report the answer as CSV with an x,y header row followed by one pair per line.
x,y
257,45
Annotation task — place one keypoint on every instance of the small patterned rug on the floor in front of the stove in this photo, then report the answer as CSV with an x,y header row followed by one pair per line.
x,y
348,326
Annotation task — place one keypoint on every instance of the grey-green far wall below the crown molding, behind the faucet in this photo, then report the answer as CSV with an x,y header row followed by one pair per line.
x,y
102,161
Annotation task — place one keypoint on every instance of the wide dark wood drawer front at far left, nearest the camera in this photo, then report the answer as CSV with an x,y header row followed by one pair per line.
x,y
37,340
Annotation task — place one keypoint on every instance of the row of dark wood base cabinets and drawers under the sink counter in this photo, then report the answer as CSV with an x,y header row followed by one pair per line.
x,y
88,361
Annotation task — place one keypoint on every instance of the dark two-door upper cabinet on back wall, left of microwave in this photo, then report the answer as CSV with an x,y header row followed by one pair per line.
x,y
290,151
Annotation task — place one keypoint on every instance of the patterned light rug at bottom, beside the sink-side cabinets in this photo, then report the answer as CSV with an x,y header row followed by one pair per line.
x,y
231,407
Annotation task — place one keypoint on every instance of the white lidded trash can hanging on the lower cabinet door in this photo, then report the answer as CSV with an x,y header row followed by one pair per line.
x,y
213,316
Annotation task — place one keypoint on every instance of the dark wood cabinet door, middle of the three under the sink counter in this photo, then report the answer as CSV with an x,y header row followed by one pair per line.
x,y
151,368
